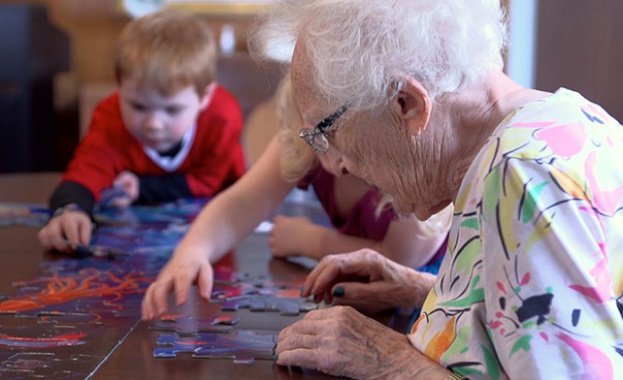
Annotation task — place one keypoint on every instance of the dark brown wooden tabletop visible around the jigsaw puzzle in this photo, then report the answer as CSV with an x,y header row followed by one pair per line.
x,y
124,350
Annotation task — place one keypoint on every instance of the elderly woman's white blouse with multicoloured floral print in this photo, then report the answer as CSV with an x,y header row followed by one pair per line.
x,y
529,286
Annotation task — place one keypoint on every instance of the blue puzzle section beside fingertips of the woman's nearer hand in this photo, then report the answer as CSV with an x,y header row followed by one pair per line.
x,y
244,346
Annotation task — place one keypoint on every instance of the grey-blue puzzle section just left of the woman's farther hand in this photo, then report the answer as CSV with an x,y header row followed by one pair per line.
x,y
259,302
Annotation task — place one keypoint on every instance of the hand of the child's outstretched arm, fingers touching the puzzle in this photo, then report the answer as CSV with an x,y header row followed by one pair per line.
x,y
186,267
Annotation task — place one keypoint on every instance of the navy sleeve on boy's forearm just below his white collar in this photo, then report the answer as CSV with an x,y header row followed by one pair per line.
x,y
162,188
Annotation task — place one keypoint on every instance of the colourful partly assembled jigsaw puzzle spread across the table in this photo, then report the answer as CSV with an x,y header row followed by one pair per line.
x,y
76,299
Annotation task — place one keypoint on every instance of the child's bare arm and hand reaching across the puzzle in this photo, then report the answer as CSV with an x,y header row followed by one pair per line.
x,y
222,223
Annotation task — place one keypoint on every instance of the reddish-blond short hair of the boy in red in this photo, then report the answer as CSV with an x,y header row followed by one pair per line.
x,y
169,50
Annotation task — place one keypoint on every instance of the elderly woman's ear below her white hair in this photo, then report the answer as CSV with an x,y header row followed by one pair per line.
x,y
413,105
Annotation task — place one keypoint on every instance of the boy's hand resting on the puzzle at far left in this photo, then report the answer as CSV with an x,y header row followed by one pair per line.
x,y
72,226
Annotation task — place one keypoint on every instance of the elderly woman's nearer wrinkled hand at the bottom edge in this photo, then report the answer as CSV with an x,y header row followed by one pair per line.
x,y
342,342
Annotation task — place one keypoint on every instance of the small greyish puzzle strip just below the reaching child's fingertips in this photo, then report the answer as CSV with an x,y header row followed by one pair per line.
x,y
187,325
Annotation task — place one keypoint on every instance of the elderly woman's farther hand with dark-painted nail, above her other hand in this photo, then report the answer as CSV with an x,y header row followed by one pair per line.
x,y
368,281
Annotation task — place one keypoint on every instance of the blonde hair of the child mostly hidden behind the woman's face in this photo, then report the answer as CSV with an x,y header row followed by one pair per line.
x,y
296,157
